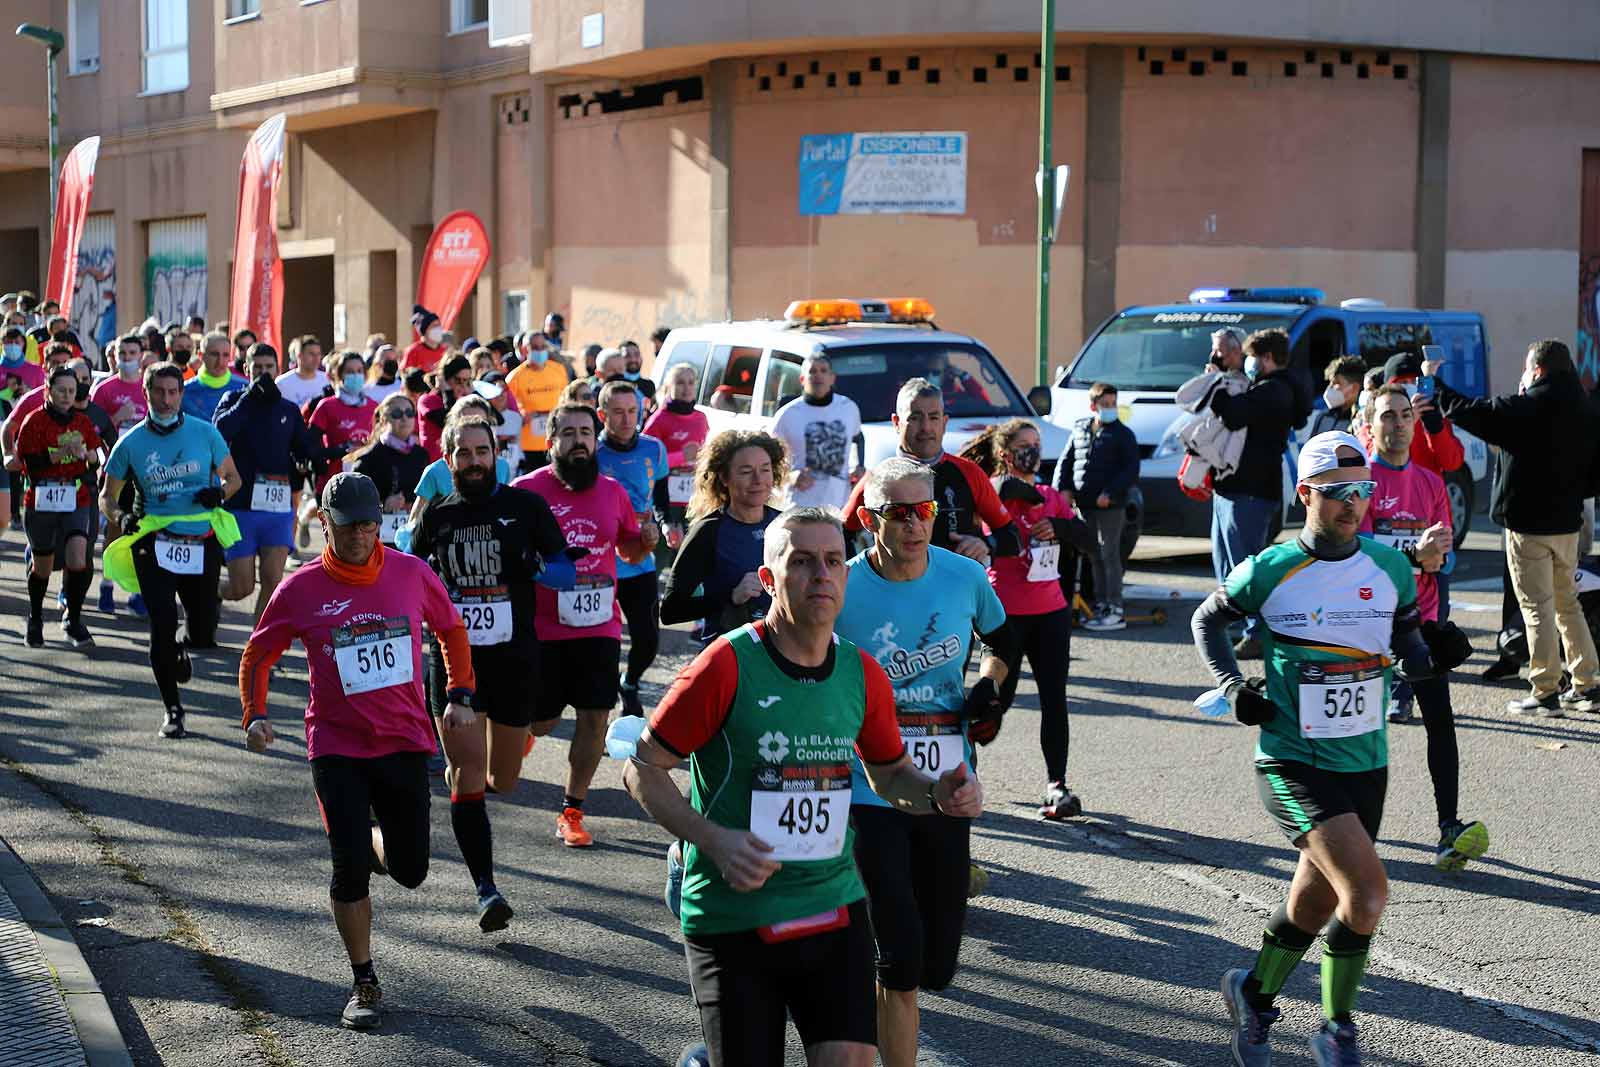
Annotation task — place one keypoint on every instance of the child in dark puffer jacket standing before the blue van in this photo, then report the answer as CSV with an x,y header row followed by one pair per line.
x,y
1095,474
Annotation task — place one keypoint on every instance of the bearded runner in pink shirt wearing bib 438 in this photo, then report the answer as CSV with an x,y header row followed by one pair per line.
x,y
580,628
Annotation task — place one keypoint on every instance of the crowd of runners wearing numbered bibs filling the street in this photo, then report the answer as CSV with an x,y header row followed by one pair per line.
x,y
494,518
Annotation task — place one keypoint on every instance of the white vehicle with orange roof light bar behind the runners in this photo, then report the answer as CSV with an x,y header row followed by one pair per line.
x,y
750,370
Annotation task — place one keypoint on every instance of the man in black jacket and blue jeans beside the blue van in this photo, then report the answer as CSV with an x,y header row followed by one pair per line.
x,y
1246,502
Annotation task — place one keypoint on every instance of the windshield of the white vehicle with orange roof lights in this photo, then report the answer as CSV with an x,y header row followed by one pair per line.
x,y
972,382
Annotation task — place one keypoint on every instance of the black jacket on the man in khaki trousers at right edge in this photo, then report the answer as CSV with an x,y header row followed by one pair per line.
x,y
1546,438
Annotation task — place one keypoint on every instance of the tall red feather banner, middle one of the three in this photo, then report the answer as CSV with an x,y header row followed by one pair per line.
x,y
258,273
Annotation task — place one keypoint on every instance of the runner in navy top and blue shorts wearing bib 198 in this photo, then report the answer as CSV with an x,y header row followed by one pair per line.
x,y
268,441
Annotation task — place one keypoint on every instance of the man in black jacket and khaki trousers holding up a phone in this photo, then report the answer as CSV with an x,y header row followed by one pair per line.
x,y
1546,436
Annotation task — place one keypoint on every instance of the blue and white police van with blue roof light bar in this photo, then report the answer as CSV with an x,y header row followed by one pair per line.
x,y
1150,351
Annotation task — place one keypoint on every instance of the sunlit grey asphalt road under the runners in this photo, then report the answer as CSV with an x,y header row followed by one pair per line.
x,y
202,873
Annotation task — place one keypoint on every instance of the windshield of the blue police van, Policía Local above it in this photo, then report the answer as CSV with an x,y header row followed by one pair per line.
x,y
1159,351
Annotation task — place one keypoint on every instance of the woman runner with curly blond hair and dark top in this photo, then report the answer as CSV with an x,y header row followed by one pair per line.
x,y
718,572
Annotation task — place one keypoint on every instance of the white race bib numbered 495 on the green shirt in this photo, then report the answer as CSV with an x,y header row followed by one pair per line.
x,y
801,810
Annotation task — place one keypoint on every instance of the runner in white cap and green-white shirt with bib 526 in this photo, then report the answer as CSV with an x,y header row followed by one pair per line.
x,y
1332,607
